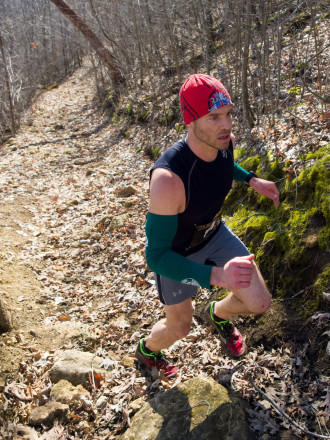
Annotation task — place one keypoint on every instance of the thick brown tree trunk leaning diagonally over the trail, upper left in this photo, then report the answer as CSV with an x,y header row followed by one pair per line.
x,y
94,41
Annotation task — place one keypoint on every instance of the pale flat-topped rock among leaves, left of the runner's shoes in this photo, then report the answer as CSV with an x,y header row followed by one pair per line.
x,y
76,367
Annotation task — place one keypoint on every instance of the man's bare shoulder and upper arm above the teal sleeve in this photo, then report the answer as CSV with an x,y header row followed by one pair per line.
x,y
167,193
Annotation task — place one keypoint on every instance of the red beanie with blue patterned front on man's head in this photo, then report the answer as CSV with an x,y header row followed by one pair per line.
x,y
201,94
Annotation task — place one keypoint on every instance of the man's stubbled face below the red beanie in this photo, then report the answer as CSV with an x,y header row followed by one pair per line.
x,y
214,129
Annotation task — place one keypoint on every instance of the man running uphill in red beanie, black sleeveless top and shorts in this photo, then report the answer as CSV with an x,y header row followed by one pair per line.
x,y
188,244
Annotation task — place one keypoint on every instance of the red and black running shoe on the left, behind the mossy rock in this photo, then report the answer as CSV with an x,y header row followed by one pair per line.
x,y
155,362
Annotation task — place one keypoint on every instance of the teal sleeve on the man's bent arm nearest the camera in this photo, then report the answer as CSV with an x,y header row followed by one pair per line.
x,y
160,231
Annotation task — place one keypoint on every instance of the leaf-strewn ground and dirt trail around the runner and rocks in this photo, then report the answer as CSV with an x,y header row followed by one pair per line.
x,y
74,196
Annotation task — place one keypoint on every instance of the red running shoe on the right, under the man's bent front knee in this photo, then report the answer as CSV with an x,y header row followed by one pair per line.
x,y
231,338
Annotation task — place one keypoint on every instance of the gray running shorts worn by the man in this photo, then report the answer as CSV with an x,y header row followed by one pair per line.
x,y
224,246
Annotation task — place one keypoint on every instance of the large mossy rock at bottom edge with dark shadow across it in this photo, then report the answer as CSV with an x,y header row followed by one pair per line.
x,y
199,409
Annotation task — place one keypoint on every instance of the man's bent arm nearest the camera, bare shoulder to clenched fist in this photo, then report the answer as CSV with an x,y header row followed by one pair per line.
x,y
167,200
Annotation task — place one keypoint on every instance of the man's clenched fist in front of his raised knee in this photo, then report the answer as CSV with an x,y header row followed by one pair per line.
x,y
236,273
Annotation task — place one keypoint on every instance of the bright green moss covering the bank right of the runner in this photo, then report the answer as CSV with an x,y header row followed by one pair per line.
x,y
278,237
